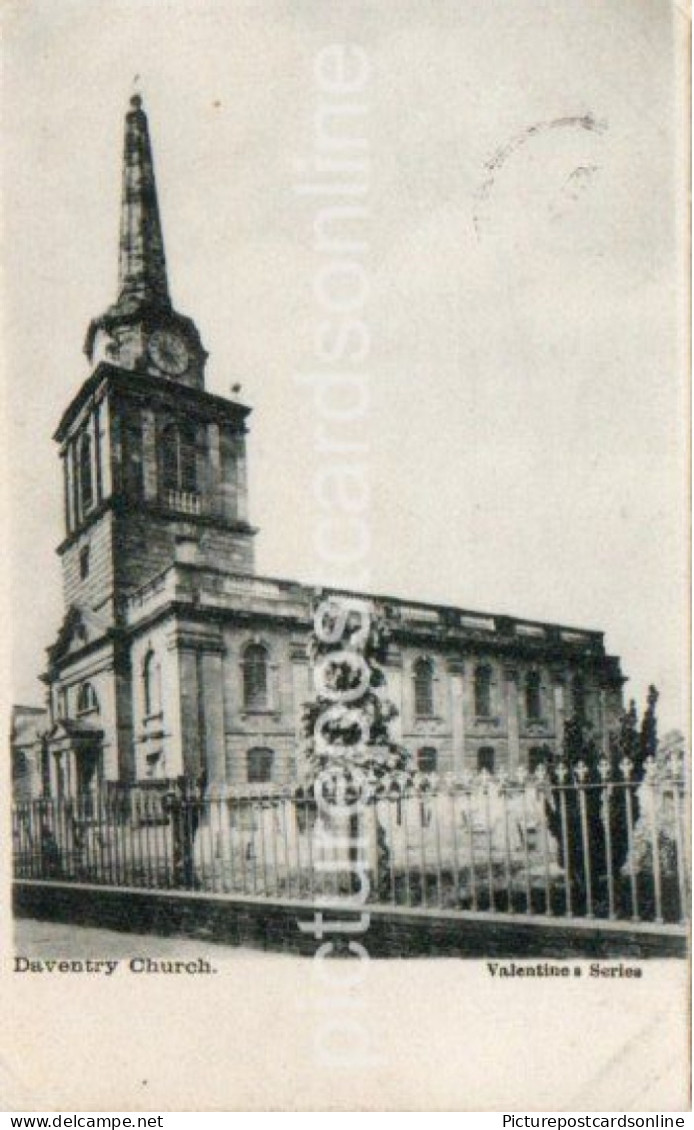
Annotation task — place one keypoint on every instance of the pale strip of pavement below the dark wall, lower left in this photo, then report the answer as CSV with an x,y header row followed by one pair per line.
x,y
64,941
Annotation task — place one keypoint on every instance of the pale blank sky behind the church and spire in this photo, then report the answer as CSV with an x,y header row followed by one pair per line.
x,y
528,421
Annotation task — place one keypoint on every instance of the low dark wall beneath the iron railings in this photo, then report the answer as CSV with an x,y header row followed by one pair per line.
x,y
393,932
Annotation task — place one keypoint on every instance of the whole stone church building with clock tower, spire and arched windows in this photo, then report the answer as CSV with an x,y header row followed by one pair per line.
x,y
175,658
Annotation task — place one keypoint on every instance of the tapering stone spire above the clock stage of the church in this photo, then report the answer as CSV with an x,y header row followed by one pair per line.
x,y
142,265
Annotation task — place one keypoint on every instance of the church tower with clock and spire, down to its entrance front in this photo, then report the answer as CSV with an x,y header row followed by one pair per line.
x,y
154,472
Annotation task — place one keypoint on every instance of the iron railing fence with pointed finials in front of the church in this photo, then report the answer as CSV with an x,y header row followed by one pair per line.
x,y
571,845
